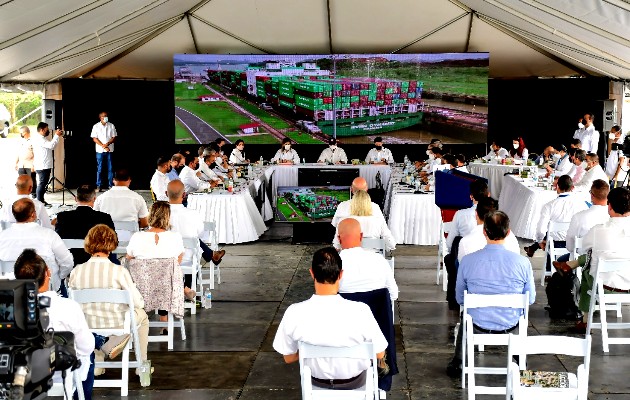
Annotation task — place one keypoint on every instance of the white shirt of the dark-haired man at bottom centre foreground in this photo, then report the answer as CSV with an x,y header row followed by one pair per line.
x,y
329,321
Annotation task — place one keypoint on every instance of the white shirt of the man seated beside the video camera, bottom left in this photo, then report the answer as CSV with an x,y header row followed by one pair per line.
x,y
65,315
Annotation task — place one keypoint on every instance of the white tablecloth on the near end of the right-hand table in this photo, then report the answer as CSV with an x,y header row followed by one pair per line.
x,y
523,204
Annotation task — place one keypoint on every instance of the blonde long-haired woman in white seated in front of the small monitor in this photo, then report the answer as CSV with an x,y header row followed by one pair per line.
x,y
372,226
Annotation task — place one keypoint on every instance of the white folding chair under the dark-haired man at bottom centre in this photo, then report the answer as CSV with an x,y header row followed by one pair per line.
x,y
361,351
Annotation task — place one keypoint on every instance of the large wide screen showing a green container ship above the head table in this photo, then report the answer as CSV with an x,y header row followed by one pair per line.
x,y
406,98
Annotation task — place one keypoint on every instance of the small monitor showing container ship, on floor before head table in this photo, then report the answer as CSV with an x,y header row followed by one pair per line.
x,y
309,203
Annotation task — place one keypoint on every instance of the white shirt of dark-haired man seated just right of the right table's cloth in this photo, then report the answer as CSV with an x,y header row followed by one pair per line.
x,y
560,209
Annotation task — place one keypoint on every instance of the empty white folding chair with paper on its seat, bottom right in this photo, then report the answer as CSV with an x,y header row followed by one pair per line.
x,y
563,345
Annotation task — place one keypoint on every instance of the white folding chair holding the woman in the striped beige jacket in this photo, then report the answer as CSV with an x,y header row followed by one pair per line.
x,y
116,296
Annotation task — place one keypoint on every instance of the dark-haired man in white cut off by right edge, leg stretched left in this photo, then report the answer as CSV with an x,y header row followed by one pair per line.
x,y
608,240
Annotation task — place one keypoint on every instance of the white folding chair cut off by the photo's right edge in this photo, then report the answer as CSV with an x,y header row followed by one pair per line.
x,y
608,301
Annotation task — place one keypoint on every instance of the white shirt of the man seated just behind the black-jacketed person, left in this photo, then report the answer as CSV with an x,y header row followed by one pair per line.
x,y
122,204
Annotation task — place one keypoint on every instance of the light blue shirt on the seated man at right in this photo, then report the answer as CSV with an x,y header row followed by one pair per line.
x,y
495,270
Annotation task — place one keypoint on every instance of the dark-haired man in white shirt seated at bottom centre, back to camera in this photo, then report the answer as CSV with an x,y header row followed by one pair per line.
x,y
327,319
